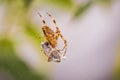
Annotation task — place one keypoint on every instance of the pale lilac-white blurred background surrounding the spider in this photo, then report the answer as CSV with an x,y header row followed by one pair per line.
x,y
92,38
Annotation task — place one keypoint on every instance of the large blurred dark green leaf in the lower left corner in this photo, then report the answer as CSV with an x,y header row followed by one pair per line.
x,y
11,65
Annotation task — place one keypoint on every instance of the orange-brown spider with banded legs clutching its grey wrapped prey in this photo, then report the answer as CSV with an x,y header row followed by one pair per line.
x,y
50,46
